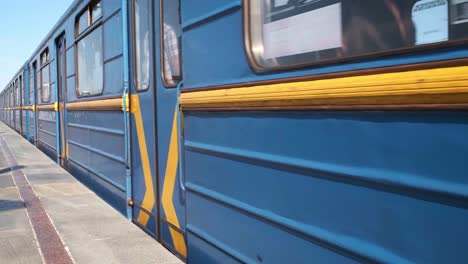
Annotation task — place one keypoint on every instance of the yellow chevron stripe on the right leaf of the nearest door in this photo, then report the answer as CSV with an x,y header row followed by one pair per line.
x,y
168,189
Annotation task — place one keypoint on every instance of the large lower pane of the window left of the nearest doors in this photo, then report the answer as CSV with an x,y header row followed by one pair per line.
x,y
90,64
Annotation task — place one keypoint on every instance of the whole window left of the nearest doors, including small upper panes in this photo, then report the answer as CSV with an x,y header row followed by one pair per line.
x,y
89,56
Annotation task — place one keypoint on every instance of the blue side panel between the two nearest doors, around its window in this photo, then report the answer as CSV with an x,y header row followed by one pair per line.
x,y
95,137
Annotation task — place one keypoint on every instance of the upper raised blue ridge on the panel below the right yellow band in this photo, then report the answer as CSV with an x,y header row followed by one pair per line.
x,y
436,191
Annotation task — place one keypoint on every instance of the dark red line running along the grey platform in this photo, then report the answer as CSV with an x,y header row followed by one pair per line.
x,y
51,246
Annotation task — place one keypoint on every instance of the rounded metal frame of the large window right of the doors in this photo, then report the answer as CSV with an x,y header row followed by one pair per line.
x,y
258,68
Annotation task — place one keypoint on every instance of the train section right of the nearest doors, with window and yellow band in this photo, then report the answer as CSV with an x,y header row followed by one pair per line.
x,y
325,131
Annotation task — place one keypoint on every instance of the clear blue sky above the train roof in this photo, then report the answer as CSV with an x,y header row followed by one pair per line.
x,y
23,25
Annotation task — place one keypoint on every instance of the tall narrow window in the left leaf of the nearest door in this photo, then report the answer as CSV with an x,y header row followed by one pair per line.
x,y
142,44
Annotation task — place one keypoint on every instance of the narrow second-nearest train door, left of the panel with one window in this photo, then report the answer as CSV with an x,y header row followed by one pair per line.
x,y
61,96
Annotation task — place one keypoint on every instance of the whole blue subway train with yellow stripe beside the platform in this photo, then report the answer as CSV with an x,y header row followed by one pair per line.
x,y
262,131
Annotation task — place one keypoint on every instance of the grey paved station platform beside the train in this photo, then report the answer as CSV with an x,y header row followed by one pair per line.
x,y
47,216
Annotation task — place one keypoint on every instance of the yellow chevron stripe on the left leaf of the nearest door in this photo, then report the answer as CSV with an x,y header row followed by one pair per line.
x,y
148,199
